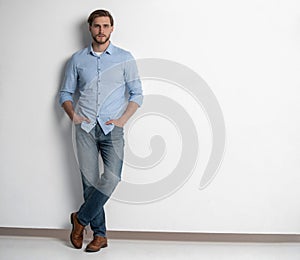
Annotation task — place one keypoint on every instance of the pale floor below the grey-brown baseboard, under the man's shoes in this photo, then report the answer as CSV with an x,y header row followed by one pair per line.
x,y
12,247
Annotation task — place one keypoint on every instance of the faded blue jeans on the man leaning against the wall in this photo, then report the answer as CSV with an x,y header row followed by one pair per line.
x,y
97,188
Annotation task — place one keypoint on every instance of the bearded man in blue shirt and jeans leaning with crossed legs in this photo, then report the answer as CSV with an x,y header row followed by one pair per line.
x,y
109,88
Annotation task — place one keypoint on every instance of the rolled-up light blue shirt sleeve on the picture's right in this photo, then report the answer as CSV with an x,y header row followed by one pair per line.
x,y
133,82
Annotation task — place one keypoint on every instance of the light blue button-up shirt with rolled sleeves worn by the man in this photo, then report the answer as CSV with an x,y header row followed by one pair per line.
x,y
105,84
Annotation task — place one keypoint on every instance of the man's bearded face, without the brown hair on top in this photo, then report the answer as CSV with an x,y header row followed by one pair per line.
x,y
101,29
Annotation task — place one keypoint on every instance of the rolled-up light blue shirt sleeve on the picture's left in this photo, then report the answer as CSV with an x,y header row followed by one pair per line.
x,y
69,83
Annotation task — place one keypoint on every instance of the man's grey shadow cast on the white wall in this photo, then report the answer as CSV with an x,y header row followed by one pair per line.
x,y
72,173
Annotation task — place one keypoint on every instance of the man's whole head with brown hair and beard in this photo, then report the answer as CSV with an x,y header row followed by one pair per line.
x,y
101,26
